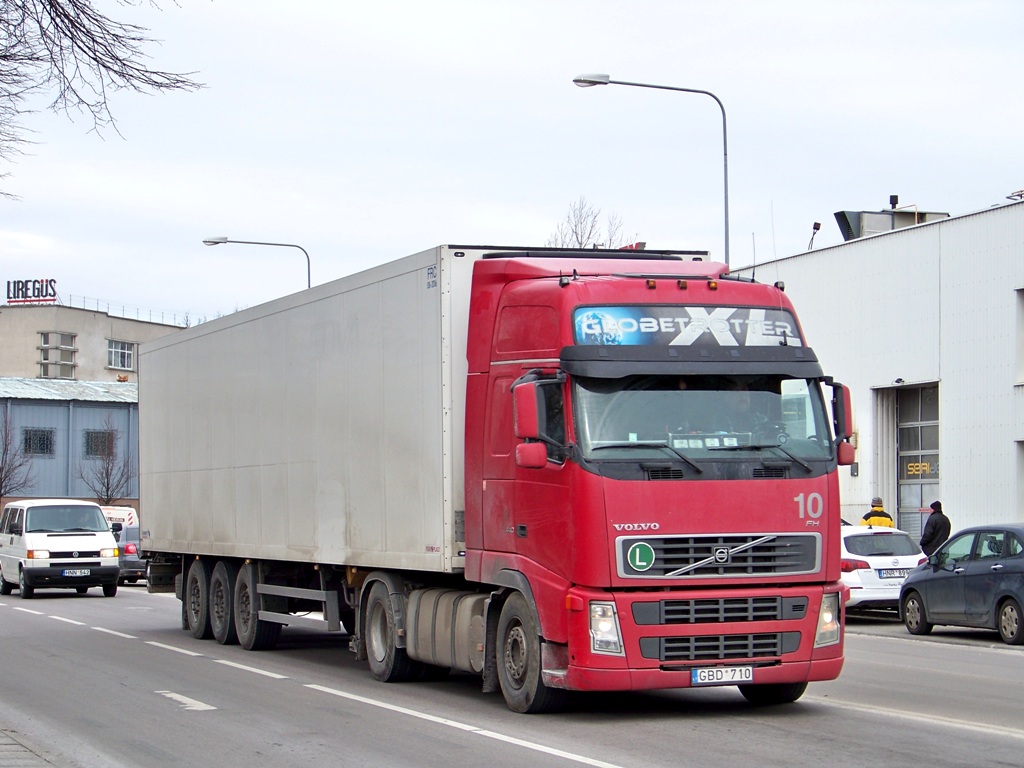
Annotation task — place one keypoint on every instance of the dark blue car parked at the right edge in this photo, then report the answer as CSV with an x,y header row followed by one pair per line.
x,y
976,579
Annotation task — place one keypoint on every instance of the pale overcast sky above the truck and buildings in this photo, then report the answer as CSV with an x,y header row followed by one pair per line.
x,y
366,132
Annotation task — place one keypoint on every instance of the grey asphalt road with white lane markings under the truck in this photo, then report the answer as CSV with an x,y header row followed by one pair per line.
x,y
94,682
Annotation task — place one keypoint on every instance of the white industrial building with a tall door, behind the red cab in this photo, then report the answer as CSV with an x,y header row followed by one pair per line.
x,y
926,325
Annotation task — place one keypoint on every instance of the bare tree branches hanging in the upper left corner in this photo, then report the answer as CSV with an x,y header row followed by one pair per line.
x,y
70,50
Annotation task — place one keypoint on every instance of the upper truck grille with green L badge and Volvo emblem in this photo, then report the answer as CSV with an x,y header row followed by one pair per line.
x,y
734,556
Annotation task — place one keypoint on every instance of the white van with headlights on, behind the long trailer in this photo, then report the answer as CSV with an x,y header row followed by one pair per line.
x,y
59,543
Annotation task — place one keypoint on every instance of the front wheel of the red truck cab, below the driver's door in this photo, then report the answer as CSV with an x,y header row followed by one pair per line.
x,y
519,655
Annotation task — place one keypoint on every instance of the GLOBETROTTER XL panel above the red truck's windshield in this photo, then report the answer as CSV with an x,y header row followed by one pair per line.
x,y
722,326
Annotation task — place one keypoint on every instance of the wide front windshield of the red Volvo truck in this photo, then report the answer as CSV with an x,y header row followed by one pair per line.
x,y
703,418
